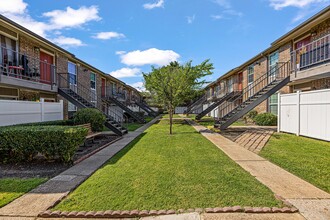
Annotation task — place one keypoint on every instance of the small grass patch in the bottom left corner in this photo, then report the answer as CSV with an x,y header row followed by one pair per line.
x,y
12,188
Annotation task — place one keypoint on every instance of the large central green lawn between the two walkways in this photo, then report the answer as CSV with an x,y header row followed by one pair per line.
x,y
160,171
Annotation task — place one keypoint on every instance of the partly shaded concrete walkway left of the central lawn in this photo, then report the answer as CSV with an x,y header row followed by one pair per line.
x,y
48,194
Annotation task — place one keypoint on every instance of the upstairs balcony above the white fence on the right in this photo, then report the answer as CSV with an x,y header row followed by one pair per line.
x,y
311,61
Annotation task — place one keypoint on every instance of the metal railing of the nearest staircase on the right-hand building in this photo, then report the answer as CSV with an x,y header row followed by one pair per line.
x,y
277,73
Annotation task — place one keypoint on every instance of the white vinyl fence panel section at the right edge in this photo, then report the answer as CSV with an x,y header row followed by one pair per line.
x,y
305,113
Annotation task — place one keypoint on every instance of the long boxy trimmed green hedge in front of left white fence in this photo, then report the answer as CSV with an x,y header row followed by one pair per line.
x,y
22,143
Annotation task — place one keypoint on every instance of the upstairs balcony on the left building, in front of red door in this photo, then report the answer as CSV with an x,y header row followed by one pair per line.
x,y
24,71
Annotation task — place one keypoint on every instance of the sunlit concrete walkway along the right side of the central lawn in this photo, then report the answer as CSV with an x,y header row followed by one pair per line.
x,y
302,194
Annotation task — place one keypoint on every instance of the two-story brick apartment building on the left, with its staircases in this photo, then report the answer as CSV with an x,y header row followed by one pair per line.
x,y
31,68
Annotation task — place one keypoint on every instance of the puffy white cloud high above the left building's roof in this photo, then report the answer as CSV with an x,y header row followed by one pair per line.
x,y
72,17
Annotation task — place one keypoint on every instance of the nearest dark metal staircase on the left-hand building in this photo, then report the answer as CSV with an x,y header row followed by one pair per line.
x,y
82,97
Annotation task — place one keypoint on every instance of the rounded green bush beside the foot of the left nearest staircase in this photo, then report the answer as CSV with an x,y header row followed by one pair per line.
x,y
90,115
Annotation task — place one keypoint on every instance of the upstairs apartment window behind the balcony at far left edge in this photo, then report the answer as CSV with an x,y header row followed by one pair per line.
x,y
8,55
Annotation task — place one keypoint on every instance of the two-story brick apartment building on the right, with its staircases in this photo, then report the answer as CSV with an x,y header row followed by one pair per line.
x,y
299,60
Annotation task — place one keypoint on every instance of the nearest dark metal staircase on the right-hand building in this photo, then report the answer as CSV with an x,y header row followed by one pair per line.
x,y
252,95
